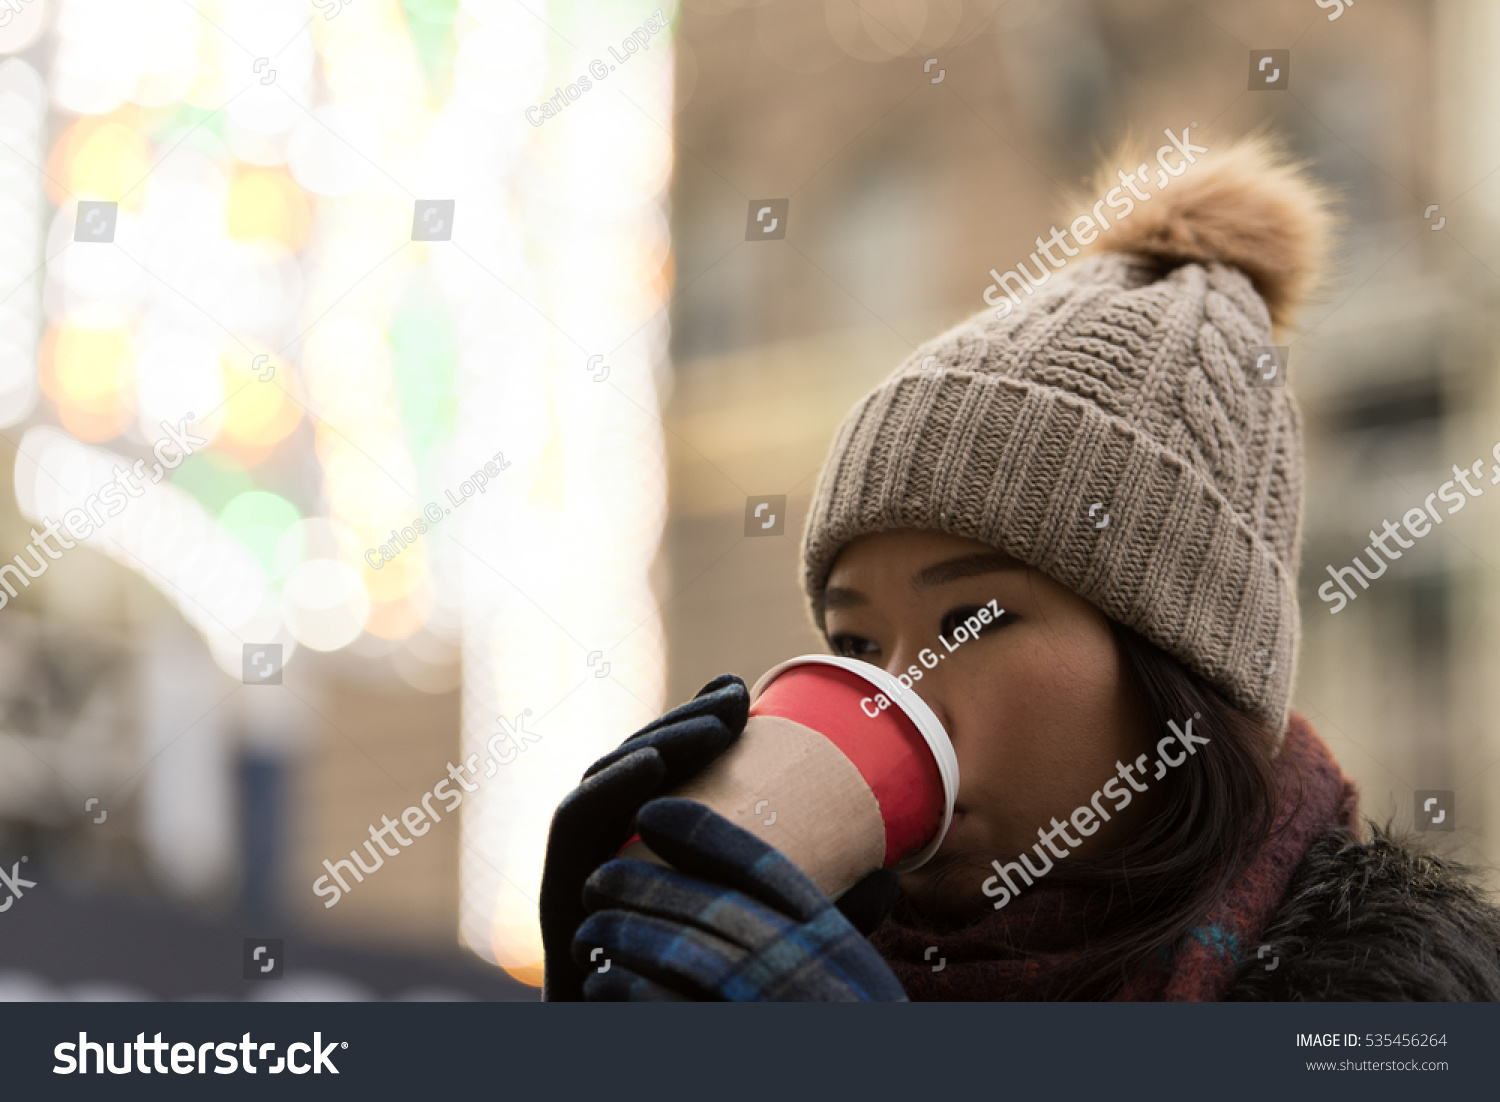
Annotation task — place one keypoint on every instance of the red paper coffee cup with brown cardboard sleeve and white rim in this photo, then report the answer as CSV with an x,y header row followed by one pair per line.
x,y
841,767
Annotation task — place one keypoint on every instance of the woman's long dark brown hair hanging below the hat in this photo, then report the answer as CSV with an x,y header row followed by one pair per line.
x,y
1216,812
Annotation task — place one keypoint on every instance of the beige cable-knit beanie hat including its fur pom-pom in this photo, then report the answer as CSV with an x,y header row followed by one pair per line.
x,y
1115,428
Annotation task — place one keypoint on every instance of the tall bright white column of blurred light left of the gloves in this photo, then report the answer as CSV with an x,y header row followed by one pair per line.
x,y
589,460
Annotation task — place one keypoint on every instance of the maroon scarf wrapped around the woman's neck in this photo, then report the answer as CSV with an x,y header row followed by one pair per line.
x,y
1051,921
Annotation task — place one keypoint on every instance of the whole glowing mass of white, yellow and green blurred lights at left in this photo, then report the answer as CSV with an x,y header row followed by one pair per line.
x,y
263,293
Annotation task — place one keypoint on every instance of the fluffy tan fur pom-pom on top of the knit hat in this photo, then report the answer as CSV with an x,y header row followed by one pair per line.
x,y
1247,208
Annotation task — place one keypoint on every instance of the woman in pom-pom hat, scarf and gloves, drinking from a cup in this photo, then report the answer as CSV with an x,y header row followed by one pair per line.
x,y
1139,816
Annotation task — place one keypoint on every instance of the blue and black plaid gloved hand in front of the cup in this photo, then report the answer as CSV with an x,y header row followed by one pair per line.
x,y
733,920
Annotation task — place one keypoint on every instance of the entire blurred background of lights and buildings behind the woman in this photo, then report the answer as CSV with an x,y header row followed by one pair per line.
x,y
355,251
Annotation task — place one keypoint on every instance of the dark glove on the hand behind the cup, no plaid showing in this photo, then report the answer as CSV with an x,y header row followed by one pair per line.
x,y
593,821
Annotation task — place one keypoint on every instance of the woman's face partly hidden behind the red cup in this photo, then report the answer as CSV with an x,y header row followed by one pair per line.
x,y
1040,707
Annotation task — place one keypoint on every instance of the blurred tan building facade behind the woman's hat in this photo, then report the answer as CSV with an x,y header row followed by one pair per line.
x,y
911,178
